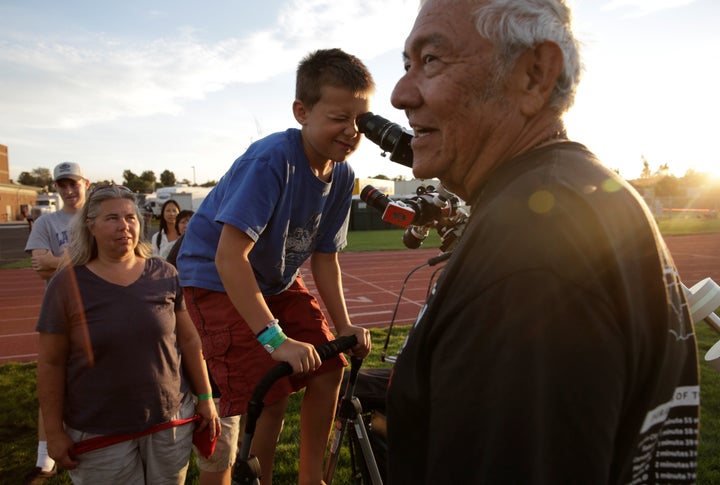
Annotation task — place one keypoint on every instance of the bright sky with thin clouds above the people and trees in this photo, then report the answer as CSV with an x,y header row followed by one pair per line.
x,y
186,86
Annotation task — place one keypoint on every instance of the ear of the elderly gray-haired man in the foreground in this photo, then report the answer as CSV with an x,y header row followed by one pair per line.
x,y
539,69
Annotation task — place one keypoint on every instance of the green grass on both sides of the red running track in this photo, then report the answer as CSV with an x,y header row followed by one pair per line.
x,y
18,401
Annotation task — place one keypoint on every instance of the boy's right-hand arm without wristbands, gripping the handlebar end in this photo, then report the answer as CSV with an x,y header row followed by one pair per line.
x,y
328,279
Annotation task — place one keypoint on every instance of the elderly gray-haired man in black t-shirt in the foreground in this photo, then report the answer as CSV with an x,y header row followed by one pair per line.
x,y
557,346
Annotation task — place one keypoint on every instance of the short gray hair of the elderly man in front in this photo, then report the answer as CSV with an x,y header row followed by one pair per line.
x,y
514,26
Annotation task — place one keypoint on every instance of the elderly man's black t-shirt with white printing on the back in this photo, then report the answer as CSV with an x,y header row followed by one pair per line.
x,y
556,347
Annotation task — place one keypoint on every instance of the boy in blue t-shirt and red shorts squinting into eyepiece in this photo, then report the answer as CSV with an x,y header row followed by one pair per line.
x,y
286,199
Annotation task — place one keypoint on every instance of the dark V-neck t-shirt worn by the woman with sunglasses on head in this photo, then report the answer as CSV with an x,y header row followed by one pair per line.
x,y
124,371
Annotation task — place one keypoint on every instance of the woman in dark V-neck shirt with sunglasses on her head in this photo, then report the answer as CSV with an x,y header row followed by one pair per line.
x,y
119,353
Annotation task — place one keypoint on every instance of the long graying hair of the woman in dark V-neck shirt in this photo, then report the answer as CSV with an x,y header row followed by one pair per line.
x,y
82,247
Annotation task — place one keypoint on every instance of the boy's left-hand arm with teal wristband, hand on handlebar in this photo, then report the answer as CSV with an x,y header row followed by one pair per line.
x,y
238,278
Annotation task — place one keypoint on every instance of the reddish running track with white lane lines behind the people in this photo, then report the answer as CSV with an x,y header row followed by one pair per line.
x,y
372,280
